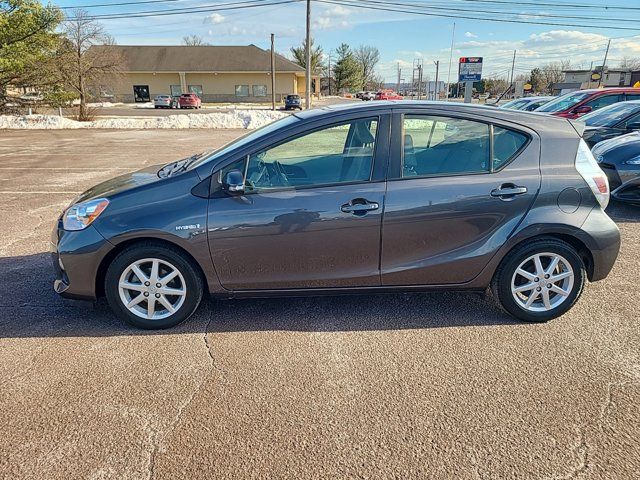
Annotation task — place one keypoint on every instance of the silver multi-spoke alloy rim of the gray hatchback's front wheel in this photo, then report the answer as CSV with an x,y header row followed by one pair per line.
x,y
151,288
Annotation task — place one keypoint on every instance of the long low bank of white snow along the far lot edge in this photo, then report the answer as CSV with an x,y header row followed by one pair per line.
x,y
248,119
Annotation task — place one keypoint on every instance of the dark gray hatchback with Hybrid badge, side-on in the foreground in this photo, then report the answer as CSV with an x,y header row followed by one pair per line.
x,y
367,198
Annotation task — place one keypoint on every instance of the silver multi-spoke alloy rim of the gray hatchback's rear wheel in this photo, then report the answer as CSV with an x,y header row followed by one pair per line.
x,y
542,282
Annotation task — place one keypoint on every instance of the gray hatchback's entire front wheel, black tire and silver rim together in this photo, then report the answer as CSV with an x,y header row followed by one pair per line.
x,y
153,286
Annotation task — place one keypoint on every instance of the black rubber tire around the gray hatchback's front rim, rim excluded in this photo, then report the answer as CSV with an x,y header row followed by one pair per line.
x,y
184,264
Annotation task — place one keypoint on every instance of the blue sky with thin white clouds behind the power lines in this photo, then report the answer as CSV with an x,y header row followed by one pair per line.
x,y
401,38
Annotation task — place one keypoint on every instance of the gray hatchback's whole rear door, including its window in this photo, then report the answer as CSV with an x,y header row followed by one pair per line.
x,y
458,187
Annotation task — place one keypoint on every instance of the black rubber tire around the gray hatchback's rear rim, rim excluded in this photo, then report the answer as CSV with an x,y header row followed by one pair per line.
x,y
501,284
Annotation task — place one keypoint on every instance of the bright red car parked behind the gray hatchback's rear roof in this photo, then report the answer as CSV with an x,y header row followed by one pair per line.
x,y
576,104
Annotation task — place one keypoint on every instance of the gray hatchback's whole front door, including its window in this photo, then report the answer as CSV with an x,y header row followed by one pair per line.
x,y
311,213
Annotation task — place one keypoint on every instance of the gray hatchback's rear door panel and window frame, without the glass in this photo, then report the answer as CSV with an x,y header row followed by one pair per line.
x,y
444,229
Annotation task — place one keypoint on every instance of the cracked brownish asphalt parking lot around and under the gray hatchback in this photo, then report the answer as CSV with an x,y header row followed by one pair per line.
x,y
434,386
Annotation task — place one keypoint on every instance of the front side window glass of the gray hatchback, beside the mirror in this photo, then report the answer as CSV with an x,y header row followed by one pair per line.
x,y
337,154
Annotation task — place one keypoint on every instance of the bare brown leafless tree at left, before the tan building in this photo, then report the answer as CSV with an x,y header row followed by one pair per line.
x,y
86,58
